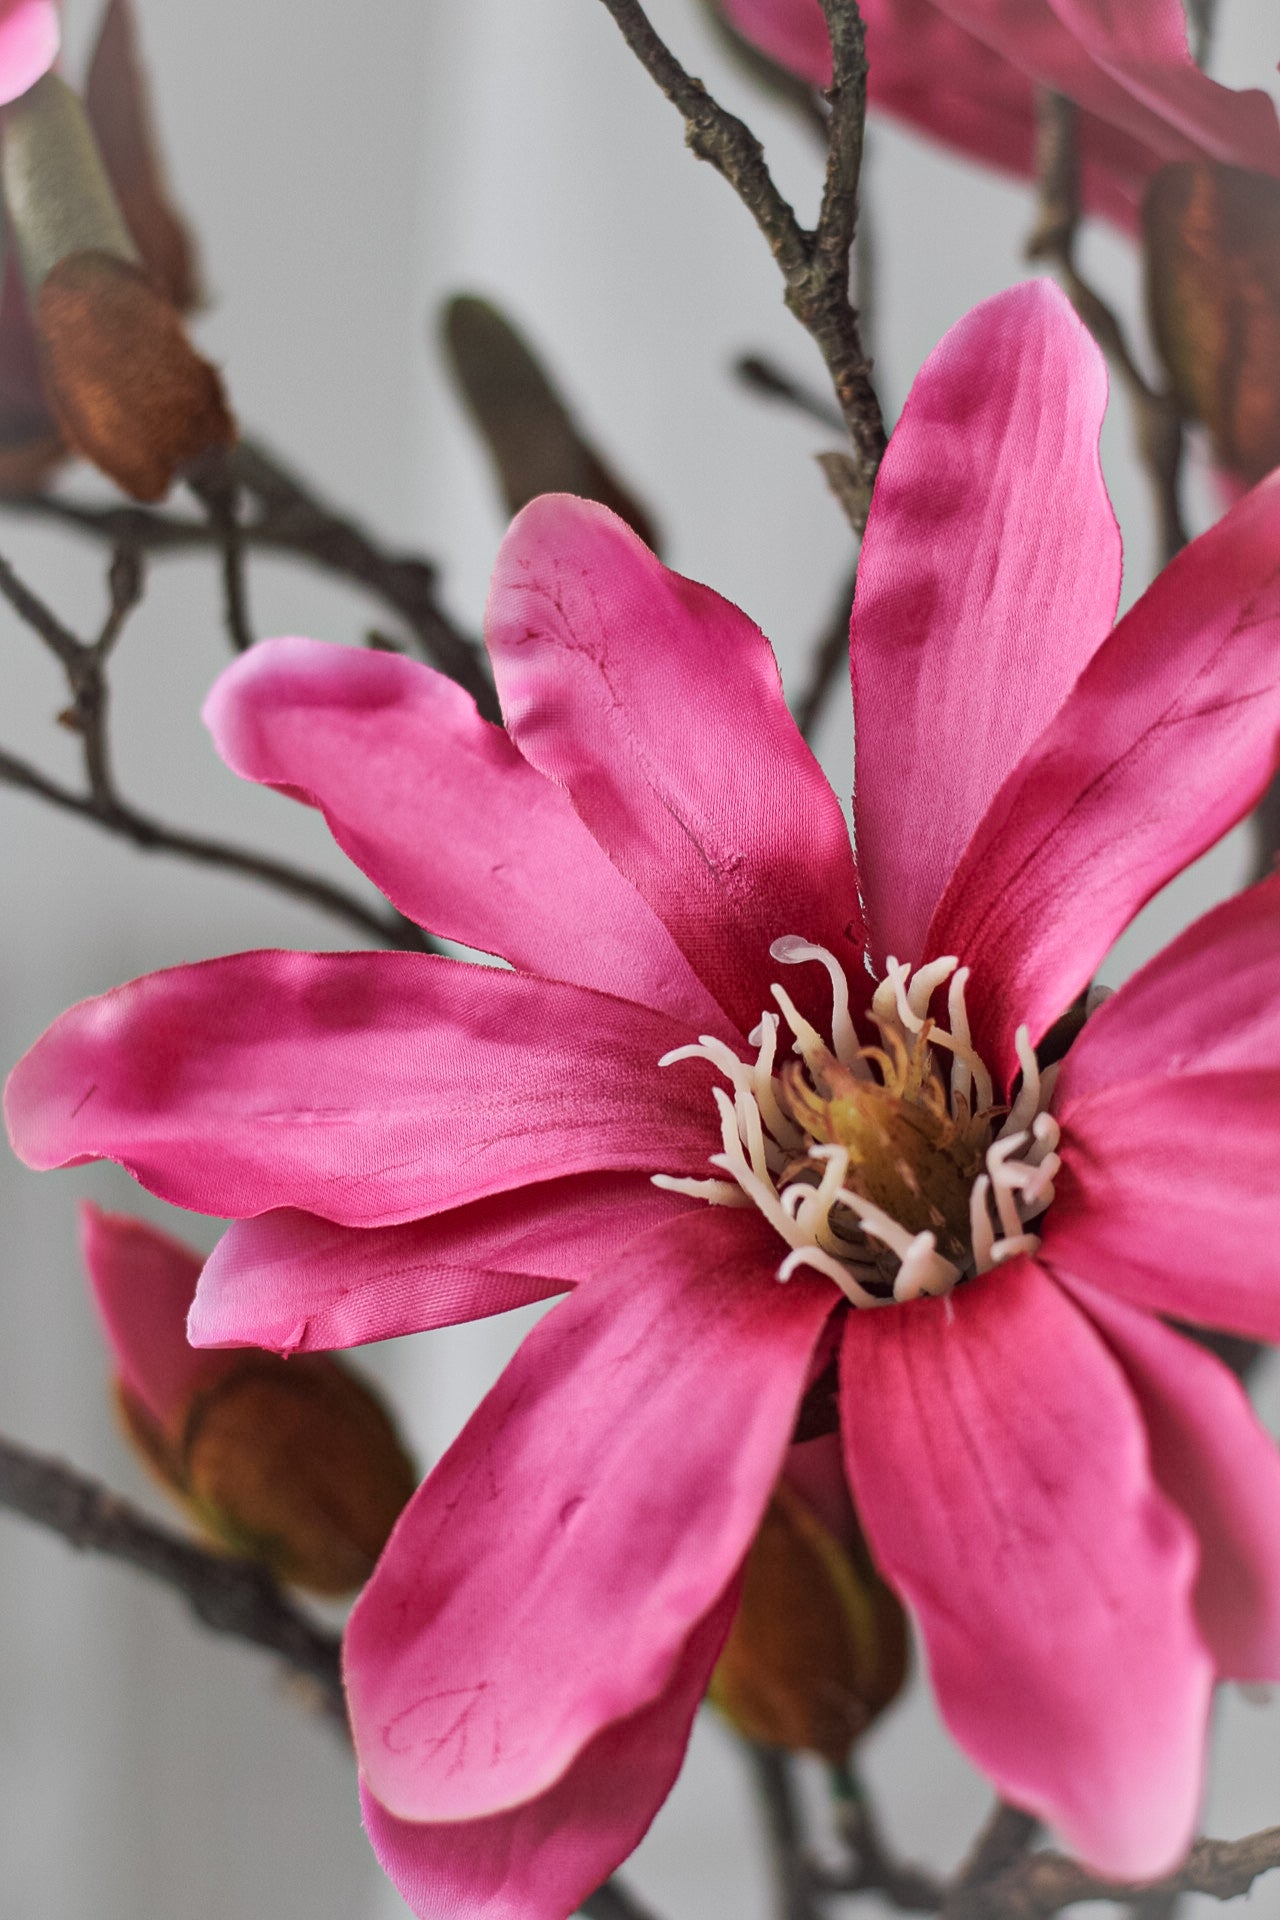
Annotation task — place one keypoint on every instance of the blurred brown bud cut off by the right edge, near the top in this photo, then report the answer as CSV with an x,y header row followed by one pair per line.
x,y
1214,293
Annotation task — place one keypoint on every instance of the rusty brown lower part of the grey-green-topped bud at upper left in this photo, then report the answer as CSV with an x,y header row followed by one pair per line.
x,y
124,381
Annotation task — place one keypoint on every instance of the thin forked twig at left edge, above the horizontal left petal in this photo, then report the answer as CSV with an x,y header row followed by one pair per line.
x,y
85,667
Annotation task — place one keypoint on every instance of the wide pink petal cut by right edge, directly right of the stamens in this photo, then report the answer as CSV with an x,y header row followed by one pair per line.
x,y
1168,1197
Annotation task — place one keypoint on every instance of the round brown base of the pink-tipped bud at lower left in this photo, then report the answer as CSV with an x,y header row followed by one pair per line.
x,y
296,1464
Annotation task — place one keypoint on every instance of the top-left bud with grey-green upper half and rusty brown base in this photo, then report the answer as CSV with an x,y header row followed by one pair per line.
x,y
122,379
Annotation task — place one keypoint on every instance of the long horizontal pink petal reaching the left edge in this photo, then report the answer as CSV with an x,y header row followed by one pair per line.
x,y
366,1088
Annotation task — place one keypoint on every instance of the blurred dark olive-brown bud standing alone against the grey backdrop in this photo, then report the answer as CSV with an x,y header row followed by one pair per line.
x,y
533,437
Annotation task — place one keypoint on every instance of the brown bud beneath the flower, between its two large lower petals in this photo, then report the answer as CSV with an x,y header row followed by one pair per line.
x,y
818,1646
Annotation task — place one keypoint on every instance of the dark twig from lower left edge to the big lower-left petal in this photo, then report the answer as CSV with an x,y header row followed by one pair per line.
x,y
229,1596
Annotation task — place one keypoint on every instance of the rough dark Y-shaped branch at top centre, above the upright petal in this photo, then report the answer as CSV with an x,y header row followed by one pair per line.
x,y
813,262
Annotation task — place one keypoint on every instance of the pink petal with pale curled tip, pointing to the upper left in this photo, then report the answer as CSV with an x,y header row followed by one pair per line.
x,y
446,817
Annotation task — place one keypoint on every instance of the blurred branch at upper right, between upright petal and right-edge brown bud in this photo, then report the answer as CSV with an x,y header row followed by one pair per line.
x,y
1156,416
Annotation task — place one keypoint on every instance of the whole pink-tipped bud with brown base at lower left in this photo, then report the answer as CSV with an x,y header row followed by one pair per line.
x,y
289,1462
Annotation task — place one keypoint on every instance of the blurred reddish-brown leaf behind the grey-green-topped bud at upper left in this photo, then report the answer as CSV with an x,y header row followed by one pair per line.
x,y
120,110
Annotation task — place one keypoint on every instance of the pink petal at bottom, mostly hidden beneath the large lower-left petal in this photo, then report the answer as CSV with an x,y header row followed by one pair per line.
x,y
544,1858
